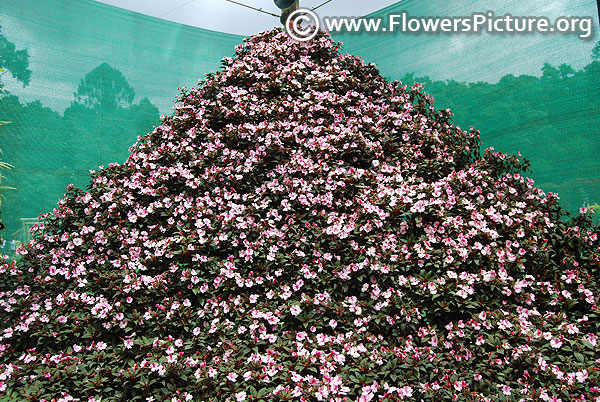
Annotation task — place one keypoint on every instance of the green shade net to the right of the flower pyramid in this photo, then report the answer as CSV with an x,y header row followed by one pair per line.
x,y
538,94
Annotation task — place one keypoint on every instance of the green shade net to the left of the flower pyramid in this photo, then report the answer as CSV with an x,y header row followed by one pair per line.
x,y
82,81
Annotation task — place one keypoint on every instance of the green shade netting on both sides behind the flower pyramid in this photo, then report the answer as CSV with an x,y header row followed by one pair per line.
x,y
98,76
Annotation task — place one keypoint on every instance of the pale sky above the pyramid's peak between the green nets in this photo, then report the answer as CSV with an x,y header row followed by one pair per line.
x,y
223,16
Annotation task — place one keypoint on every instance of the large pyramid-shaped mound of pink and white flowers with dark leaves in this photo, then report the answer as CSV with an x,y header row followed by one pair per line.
x,y
302,229
